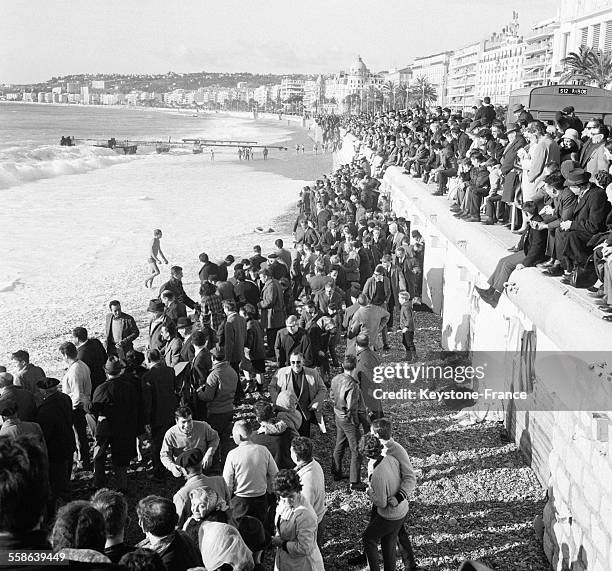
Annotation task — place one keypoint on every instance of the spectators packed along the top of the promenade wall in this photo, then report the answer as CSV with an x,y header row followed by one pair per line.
x,y
548,182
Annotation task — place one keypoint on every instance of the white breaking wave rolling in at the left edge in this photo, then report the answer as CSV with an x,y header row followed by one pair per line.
x,y
20,165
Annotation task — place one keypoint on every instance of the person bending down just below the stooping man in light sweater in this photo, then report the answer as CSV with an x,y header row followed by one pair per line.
x,y
190,463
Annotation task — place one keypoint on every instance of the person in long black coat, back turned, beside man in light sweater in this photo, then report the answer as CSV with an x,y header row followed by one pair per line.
x,y
55,420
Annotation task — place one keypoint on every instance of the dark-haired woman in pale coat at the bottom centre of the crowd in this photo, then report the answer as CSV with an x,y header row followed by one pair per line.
x,y
296,527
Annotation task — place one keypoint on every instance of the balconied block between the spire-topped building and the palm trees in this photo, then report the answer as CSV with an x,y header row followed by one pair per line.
x,y
537,65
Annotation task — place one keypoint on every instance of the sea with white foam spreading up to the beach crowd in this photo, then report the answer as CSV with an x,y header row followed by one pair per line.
x,y
76,222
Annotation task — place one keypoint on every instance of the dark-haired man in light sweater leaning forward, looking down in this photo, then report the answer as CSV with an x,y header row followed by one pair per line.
x,y
187,434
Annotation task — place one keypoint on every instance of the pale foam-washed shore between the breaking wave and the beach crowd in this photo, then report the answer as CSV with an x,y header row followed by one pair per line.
x,y
106,268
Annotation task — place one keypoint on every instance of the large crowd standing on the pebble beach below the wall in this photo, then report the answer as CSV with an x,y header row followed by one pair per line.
x,y
263,333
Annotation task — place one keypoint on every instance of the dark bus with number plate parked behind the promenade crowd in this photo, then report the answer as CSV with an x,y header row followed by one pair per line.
x,y
544,102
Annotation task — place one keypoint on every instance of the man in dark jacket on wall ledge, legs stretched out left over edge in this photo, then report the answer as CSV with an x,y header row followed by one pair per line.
x,y
532,250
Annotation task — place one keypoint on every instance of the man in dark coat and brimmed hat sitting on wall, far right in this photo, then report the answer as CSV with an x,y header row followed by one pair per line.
x,y
590,212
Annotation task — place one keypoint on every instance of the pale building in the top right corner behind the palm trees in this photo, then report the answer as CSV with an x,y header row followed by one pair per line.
x,y
581,23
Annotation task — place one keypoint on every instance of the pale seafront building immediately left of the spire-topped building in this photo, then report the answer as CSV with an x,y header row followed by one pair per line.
x,y
463,76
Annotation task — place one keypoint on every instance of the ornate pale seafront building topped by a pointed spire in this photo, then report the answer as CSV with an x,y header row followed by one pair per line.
x,y
500,64
